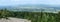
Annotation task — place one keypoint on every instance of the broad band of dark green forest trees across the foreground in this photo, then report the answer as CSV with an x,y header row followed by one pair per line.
x,y
33,16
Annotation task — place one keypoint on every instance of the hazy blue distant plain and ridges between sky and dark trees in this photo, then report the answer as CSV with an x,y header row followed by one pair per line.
x,y
32,7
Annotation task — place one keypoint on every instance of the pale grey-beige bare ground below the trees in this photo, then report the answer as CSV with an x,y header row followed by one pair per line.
x,y
14,20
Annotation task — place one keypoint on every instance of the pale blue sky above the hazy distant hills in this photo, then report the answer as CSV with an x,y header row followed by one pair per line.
x,y
23,2
